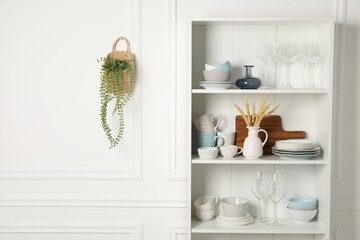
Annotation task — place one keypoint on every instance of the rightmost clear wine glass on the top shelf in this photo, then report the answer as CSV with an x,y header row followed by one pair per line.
x,y
311,54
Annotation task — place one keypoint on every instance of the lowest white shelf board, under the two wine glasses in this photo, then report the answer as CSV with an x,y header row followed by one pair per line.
x,y
289,227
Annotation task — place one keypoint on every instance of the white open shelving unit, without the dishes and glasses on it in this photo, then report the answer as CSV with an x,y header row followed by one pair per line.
x,y
309,110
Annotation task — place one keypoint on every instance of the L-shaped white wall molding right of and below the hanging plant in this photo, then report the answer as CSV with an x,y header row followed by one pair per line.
x,y
136,171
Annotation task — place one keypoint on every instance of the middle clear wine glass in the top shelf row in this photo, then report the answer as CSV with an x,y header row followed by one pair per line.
x,y
288,53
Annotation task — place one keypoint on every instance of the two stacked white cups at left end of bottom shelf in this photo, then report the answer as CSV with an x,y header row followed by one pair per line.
x,y
205,207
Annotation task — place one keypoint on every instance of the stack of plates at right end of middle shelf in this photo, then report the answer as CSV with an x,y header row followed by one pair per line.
x,y
295,149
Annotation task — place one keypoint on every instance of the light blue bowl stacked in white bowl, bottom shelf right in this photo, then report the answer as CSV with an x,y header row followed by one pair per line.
x,y
302,209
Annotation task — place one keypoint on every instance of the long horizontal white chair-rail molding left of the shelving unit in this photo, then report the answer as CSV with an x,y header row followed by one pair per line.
x,y
92,201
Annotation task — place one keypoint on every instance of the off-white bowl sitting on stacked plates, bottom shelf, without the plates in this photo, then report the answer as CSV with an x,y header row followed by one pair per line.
x,y
234,207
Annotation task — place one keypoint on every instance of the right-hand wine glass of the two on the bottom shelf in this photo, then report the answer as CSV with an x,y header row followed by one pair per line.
x,y
276,192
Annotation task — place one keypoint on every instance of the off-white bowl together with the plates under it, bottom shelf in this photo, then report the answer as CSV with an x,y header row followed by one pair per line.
x,y
234,211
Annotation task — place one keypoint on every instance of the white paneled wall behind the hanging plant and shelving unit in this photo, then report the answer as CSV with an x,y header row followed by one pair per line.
x,y
58,177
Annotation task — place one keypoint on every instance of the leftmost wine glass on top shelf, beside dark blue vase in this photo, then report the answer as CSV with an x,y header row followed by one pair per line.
x,y
266,52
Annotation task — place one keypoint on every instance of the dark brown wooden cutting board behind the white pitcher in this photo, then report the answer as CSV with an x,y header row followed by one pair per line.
x,y
272,125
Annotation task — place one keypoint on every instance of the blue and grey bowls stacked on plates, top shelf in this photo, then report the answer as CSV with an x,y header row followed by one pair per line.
x,y
217,76
